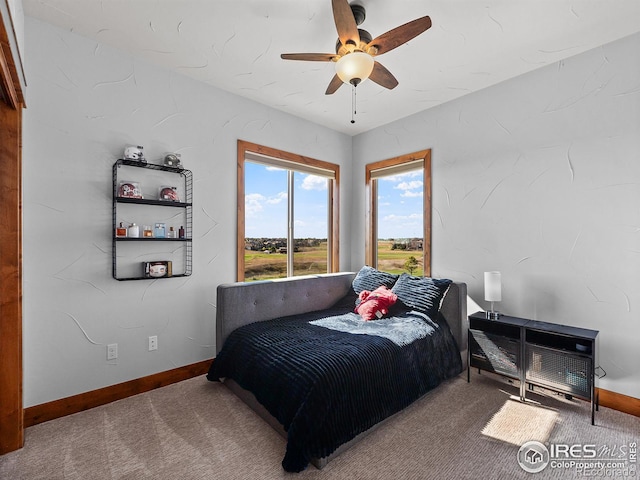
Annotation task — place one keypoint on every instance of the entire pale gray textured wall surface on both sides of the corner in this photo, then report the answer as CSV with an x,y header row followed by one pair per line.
x,y
537,177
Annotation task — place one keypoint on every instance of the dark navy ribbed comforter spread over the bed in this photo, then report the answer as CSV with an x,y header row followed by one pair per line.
x,y
327,386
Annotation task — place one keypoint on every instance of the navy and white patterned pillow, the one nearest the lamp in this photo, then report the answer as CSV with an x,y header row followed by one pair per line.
x,y
421,293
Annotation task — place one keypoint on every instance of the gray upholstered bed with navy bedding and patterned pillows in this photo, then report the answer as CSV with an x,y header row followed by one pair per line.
x,y
296,352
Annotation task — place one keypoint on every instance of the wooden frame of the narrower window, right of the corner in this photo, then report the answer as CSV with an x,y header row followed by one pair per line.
x,y
372,193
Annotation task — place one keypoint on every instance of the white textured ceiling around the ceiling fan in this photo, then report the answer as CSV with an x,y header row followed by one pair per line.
x,y
236,46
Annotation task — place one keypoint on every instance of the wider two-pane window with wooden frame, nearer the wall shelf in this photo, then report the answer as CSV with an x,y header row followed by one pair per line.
x,y
287,214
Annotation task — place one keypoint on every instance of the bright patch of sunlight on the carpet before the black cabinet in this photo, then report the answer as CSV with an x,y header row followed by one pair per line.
x,y
519,422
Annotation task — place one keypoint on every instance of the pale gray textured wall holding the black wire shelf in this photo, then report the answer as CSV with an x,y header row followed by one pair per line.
x,y
85,103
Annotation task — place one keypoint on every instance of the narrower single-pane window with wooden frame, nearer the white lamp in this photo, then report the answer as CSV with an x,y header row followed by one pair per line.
x,y
399,214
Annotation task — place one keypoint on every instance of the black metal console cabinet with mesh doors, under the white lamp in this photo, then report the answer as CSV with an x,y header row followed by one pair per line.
x,y
556,357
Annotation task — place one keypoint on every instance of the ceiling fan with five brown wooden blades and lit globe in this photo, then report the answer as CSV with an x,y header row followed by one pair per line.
x,y
355,47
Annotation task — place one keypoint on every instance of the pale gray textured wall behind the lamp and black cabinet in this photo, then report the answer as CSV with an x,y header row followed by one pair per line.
x,y
539,177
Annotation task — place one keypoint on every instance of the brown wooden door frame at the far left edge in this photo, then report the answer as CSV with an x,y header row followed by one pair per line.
x,y
11,104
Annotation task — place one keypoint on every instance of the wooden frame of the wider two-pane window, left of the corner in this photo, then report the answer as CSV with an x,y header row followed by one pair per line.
x,y
333,198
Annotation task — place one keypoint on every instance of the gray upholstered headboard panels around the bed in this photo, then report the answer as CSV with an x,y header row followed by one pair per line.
x,y
241,303
